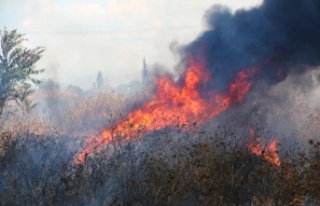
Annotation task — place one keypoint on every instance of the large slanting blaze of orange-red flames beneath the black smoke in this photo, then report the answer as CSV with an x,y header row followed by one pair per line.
x,y
174,104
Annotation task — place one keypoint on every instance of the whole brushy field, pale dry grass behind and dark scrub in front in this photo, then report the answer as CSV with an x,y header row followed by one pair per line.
x,y
201,165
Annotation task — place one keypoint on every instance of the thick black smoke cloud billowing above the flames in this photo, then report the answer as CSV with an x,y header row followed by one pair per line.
x,y
281,37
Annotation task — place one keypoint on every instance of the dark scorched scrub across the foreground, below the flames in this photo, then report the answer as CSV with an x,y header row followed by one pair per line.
x,y
163,168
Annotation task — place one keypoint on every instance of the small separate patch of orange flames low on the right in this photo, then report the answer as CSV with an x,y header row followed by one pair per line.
x,y
270,152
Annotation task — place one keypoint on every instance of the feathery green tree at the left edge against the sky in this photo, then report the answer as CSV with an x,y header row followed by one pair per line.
x,y
17,65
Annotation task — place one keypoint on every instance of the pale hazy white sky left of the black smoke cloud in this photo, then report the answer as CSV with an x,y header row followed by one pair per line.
x,y
83,37
